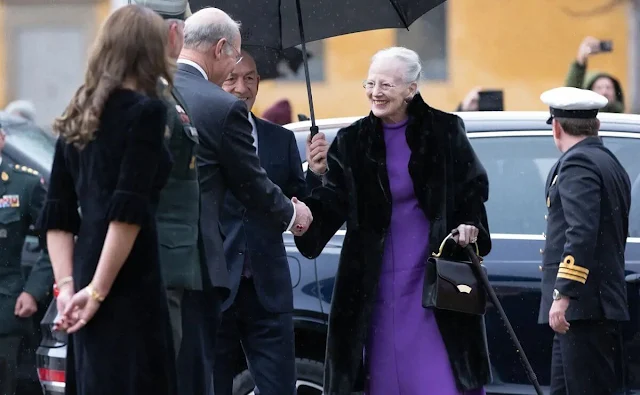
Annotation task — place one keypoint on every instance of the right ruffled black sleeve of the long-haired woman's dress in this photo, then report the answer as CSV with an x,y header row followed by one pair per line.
x,y
130,200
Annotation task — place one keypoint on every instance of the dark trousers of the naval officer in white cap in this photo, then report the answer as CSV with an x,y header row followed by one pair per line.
x,y
587,359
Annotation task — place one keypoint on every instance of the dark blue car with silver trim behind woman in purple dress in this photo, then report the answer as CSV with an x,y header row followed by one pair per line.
x,y
517,150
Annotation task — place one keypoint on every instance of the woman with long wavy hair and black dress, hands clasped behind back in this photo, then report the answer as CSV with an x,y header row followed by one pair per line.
x,y
110,162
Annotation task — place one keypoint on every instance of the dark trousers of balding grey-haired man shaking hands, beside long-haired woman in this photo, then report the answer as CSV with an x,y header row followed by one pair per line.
x,y
200,322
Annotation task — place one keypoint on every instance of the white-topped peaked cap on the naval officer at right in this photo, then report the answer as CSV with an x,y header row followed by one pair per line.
x,y
569,102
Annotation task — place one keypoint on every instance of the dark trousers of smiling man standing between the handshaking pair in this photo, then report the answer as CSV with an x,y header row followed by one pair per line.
x,y
267,340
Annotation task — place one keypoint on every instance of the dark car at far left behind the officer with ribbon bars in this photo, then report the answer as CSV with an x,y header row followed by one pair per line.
x,y
28,145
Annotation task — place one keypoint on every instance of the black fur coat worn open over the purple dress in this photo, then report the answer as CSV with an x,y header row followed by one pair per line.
x,y
451,186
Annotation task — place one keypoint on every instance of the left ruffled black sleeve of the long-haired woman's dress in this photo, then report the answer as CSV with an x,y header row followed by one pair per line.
x,y
60,211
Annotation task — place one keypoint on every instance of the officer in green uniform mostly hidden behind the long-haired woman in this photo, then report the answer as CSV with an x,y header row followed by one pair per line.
x,y
178,210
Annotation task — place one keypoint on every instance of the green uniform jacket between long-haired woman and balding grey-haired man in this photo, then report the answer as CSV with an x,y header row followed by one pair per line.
x,y
179,207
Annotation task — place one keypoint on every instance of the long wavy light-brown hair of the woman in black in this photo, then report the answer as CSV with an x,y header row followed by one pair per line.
x,y
131,46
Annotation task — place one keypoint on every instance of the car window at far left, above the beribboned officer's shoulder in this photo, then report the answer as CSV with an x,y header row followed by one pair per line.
x,y
32,142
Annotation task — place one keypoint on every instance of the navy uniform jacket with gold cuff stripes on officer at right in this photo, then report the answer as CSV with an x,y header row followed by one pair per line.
x,y
588,196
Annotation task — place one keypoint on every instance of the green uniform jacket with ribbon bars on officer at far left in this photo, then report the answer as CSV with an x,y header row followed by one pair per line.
x,y
21,198
